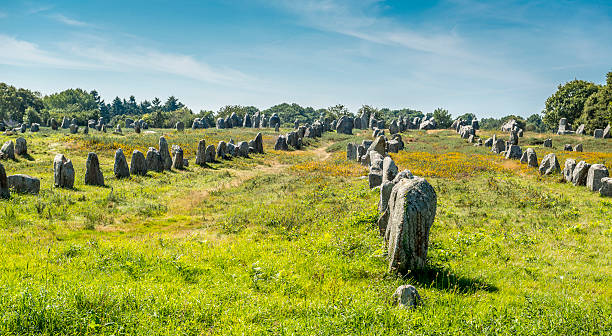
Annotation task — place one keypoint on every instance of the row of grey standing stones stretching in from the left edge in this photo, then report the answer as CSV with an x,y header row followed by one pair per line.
x,y
156,160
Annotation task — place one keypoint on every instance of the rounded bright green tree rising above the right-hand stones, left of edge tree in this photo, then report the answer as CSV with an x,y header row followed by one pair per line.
x,y
568,102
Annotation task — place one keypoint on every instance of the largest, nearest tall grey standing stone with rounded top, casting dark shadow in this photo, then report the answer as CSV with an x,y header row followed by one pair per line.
x,y
412,209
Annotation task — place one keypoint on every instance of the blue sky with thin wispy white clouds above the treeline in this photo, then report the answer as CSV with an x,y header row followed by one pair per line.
x,y
491,58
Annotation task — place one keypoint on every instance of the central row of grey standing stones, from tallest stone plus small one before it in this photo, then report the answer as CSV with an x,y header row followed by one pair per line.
x,y
407,209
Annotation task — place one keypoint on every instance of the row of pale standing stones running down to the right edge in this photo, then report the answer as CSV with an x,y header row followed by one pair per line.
x,y
594,176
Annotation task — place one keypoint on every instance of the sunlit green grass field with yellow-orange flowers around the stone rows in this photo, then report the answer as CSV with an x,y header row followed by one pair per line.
x,y
285,243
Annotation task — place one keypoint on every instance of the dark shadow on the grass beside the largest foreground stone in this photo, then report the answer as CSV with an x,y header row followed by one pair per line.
x,y
444,279
